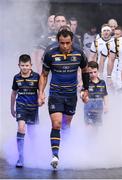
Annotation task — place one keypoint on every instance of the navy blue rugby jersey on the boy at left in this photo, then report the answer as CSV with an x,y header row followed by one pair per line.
x,y
27,90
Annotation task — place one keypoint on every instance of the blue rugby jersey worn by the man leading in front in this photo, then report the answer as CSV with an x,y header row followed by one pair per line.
x,y
64,70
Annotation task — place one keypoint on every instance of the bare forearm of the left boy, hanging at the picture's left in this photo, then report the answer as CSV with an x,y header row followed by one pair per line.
x,y
13,100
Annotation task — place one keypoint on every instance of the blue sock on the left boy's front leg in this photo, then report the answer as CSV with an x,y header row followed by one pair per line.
x,y
20,144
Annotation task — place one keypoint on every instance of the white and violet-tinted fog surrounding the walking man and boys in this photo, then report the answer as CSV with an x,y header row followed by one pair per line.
x,y
81,147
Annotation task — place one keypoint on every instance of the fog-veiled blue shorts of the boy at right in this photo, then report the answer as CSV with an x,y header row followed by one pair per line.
x,y
93,111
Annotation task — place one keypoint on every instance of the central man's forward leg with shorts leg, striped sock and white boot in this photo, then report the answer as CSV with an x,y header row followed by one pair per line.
x,y
56,109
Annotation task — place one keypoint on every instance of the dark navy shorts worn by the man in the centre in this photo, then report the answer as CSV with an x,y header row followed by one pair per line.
x,y
66,105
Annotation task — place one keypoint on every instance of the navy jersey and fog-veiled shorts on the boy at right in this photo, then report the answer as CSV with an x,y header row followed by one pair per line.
x,y
93,110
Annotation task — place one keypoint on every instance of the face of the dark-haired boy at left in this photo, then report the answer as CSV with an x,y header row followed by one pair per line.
x,y
25,67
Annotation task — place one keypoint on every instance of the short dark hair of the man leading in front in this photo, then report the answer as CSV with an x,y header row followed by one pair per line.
x,y
64,33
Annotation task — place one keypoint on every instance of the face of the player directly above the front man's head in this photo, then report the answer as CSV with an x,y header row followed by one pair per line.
x,y
60,21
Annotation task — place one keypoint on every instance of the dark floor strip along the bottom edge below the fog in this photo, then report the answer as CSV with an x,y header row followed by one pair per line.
x,y
10,172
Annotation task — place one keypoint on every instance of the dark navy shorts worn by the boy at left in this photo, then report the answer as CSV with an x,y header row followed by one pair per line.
x,y
30,116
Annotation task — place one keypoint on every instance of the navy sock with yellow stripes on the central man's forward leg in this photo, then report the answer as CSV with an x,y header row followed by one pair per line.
x,y
55,141
